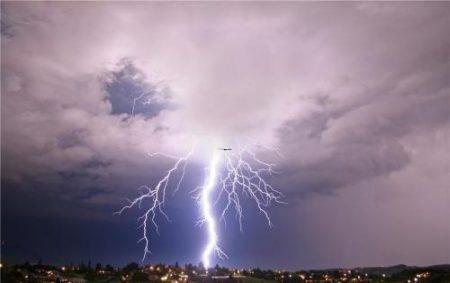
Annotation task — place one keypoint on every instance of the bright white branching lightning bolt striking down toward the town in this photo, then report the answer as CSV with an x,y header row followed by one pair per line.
x,y
243,175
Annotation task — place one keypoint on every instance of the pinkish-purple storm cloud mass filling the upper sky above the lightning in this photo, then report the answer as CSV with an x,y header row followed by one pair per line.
x,y
353,94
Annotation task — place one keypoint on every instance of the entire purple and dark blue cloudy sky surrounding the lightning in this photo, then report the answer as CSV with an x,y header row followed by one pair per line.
x,y
356,96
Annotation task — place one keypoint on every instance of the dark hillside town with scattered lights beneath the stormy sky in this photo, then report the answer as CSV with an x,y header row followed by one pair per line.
x,y
133,272
